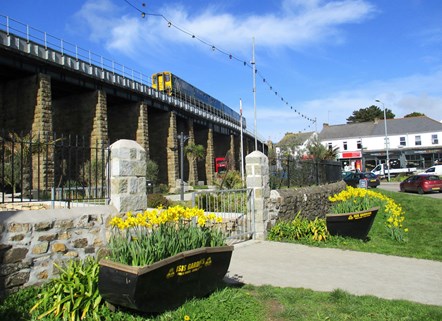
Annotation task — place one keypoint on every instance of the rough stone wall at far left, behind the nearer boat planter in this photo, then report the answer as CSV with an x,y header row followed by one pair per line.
x,y
31,242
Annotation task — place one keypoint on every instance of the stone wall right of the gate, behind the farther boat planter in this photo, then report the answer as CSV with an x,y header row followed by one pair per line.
x,y
310,201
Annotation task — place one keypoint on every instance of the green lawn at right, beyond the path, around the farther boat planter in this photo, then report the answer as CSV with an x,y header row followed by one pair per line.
x,y
423,217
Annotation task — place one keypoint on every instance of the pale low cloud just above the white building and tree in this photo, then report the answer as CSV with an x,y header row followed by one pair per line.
x,y
415,93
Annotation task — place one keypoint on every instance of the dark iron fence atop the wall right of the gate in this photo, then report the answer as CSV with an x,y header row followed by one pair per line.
x,y
291,172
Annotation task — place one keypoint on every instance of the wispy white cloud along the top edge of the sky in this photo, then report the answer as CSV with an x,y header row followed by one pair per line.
x,y
299,23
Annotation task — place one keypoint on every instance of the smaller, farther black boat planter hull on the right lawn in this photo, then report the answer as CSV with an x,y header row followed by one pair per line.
x,y
355,224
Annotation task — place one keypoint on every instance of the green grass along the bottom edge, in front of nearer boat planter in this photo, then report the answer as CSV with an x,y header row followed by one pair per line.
x,y
250,303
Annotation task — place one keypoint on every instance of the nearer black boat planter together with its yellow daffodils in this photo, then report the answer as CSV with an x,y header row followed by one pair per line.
x,y
160,258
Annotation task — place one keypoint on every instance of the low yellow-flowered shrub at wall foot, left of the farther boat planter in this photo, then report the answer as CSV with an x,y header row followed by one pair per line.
x,y
299,228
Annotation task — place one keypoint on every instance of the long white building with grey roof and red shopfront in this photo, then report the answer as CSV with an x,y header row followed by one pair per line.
x,y
412,142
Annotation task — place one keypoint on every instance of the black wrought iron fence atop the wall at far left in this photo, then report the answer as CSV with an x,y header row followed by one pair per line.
x,y
45,167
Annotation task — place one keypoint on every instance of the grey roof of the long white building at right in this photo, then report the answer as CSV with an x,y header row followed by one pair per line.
x,y
398,126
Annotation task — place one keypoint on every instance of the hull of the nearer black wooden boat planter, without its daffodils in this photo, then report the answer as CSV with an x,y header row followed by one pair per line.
x,y
165,284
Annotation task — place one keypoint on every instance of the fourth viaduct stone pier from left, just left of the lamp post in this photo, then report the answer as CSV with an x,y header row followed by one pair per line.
x,y
172,152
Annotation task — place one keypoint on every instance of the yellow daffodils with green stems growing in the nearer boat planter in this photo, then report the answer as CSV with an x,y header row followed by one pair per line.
x,y
157,234
